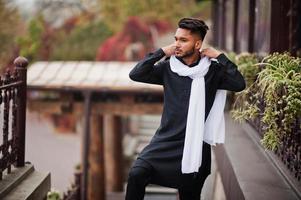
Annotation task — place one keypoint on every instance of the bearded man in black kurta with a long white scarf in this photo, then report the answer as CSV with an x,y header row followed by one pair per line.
x,y
194,81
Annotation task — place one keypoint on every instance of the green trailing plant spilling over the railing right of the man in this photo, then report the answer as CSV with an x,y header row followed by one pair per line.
x,y
274,96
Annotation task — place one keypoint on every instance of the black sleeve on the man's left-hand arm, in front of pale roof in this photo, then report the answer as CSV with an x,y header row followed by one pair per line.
x,y
147,71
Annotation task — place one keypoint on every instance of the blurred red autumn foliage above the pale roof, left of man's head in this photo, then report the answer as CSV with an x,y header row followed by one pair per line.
x,y
133,42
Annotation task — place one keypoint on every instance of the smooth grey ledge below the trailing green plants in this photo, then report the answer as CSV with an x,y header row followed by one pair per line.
x,y
246,170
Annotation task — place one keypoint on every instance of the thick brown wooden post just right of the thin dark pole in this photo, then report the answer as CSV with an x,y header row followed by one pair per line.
x,y
96,177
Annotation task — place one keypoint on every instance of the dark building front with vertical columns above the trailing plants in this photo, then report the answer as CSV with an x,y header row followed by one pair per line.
x,y
261,26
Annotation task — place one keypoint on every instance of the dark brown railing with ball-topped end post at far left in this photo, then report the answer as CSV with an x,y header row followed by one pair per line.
x,y
13,116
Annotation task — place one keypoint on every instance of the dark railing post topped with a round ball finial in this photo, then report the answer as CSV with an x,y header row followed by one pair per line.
x,y
21,64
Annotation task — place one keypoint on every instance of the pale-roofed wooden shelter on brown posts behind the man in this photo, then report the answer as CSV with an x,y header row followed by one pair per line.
x,y
101,92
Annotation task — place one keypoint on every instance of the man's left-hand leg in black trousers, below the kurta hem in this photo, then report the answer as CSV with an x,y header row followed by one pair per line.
x,y
138,179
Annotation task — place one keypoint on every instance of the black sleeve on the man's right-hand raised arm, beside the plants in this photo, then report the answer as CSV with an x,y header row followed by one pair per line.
x,y
231,78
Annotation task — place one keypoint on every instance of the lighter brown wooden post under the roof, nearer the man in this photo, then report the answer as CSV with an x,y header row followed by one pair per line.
x,y
113,153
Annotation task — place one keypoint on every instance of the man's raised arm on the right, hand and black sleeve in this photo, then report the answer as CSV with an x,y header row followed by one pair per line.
x,y
231,78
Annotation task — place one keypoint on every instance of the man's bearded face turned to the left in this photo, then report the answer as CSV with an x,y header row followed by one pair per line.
x,y
186,43
